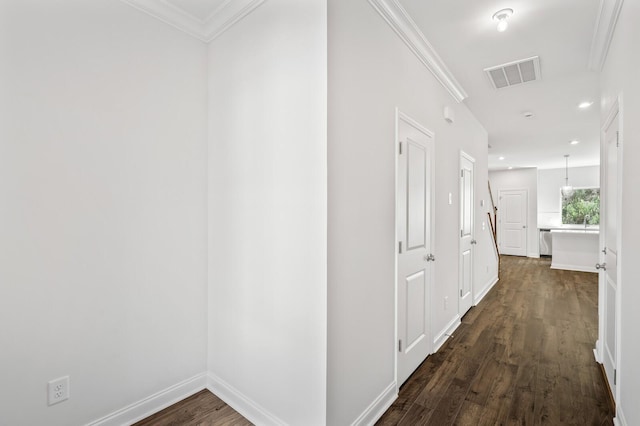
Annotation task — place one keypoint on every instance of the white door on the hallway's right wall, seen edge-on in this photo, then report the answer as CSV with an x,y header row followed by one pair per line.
x,y
608,266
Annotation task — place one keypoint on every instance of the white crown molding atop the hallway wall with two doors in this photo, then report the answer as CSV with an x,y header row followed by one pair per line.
x,y
400,21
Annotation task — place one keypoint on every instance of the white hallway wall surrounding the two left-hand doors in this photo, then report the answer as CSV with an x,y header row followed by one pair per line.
x,y
371,72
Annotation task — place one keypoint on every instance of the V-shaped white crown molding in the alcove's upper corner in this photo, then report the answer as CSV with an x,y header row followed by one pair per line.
x,y
206,30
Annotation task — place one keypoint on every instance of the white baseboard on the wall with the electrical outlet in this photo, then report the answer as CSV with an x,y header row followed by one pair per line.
x,y
154,403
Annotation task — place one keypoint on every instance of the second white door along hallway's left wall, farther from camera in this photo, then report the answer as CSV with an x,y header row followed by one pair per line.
x,y
467,241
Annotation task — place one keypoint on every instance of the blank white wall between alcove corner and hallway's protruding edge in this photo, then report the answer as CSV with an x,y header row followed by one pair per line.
x,y
268,210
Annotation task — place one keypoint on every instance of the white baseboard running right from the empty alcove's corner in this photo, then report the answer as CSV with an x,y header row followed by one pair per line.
x,y
241,403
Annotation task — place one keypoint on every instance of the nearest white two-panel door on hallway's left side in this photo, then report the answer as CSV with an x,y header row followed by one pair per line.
x,y
414,230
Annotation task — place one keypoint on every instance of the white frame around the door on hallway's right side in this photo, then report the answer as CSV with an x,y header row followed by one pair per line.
x,y
615,112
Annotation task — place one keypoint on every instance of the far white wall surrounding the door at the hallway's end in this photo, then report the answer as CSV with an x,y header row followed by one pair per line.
x,y
520,179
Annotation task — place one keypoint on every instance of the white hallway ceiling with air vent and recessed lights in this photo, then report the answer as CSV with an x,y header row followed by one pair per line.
x,y
560,33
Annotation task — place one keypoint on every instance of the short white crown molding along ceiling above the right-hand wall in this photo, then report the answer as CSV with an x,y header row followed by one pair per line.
x,y
606,21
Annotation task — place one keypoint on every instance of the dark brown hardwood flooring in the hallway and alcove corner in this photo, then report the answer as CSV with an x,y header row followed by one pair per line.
x,y
523,356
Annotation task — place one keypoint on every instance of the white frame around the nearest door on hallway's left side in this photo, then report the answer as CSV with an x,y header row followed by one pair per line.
x,y
400,116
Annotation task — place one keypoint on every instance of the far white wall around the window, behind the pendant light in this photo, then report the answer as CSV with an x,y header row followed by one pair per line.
x,y
549,183
